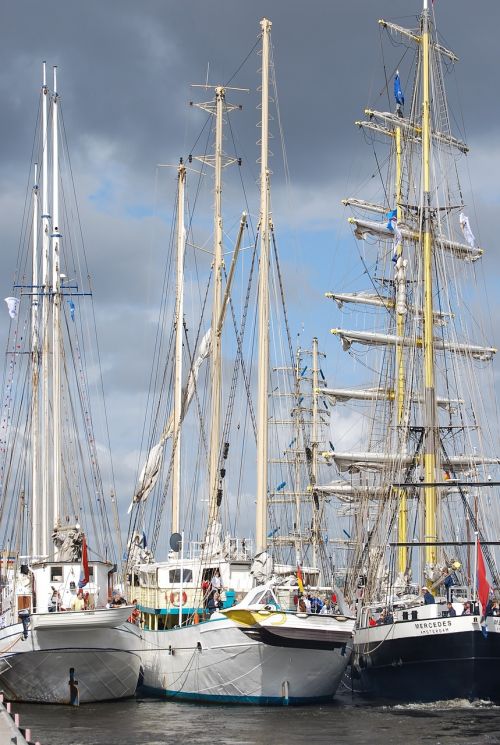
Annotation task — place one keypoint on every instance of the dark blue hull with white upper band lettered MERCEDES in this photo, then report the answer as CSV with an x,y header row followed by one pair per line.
x,y
429,660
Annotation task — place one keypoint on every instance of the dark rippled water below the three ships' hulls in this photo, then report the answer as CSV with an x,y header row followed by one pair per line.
x,y
347,721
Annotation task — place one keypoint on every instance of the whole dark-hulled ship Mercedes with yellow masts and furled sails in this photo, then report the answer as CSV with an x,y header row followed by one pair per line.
x,y
419,493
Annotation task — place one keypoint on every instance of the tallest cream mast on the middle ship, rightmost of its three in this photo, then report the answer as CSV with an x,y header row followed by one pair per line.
x,y
263,349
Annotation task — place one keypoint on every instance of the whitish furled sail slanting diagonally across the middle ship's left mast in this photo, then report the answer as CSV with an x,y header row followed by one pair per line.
x,y
150,472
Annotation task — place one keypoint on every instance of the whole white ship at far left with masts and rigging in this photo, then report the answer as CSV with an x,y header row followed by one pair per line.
x,y
59,642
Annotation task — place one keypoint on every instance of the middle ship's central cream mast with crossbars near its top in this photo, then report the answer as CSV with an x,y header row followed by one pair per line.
x,y
216,393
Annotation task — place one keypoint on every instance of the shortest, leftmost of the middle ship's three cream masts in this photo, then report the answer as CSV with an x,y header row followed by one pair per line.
x,y
179,313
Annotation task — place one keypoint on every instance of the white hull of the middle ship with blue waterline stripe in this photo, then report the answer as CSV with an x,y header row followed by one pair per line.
x,y
219,661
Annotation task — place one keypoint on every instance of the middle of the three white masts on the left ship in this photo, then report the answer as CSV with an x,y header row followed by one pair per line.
x,y
45,467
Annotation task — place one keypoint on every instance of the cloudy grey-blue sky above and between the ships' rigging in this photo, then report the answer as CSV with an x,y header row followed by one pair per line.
x,y
125,70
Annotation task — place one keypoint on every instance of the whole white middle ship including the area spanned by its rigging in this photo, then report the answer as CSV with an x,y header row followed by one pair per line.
x,y
225,618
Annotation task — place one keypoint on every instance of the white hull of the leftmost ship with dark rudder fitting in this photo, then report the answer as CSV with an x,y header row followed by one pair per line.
x,y
106,663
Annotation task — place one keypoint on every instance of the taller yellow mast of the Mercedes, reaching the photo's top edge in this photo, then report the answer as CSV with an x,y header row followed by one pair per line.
x,y
430,532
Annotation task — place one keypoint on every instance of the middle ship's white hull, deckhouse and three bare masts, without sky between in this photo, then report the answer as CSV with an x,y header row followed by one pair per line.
x,y
257,647
